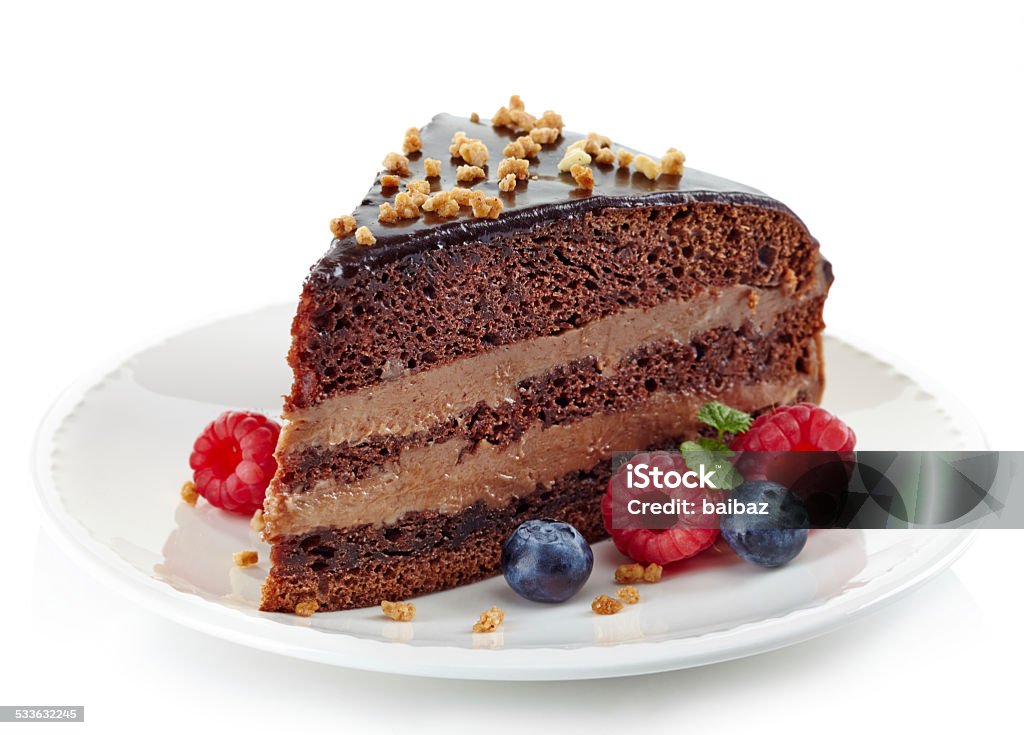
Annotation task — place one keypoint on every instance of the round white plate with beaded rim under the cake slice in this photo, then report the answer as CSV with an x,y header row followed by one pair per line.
x,y
113,453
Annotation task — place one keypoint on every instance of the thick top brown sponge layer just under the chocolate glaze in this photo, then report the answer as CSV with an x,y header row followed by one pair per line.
x,y
437,306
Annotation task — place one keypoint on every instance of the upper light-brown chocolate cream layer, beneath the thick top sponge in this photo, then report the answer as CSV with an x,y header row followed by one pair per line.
x,y
415,403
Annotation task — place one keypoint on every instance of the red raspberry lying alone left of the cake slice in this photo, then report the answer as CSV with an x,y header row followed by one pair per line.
x,y
233,461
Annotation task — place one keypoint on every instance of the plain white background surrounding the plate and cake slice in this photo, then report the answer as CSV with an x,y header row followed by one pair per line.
x,y
160,166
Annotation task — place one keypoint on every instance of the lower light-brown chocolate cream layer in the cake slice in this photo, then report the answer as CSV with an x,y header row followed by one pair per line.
x,y
439,478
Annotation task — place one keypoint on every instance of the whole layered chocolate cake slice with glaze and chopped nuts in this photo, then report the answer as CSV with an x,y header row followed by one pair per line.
x,y
510,305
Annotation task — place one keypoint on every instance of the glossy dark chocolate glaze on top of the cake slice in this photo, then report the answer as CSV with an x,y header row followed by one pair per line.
x,y
548,195
